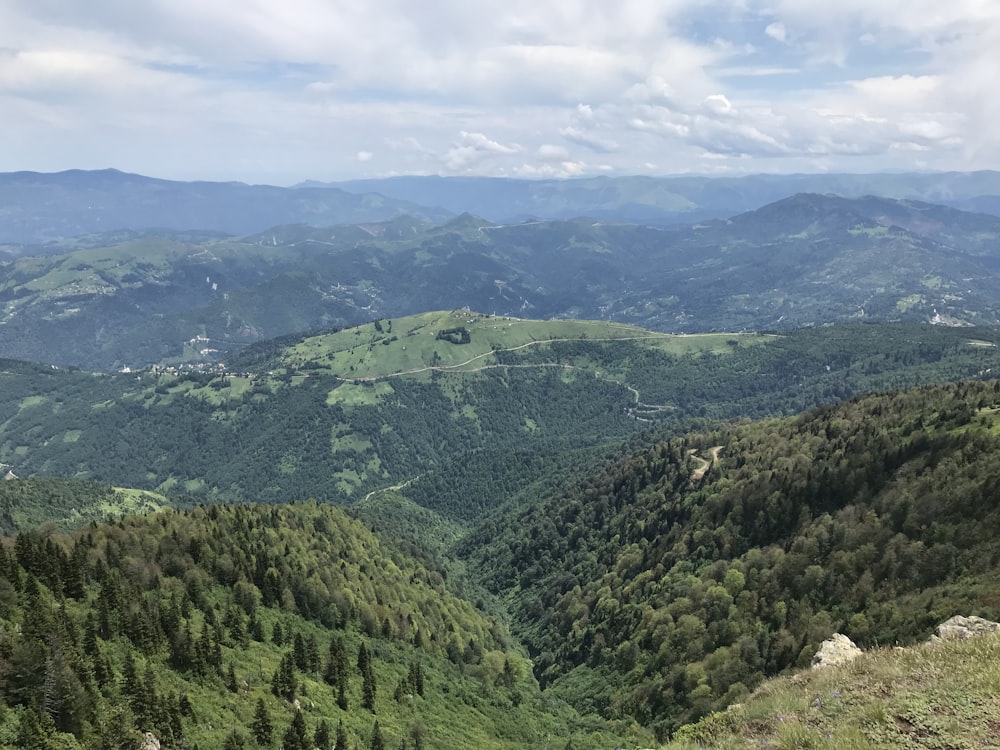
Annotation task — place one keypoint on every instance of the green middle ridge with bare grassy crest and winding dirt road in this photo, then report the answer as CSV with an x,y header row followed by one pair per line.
x,y
464,408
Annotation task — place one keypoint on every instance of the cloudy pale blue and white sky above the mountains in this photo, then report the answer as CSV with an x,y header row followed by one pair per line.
x,y
279,91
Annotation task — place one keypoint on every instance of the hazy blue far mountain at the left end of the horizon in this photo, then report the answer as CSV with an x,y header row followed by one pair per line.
x,y
39,208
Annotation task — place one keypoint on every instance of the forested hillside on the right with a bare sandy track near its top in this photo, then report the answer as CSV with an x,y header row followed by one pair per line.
x,y
670,583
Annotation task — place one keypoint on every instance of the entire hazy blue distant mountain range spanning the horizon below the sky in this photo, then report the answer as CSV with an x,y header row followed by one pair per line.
x,y
42,210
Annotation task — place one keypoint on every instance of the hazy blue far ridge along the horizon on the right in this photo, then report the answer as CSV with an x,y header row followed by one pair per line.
x,y
670,200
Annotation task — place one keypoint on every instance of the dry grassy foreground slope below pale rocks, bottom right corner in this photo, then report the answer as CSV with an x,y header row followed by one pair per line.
x,y
940,695
